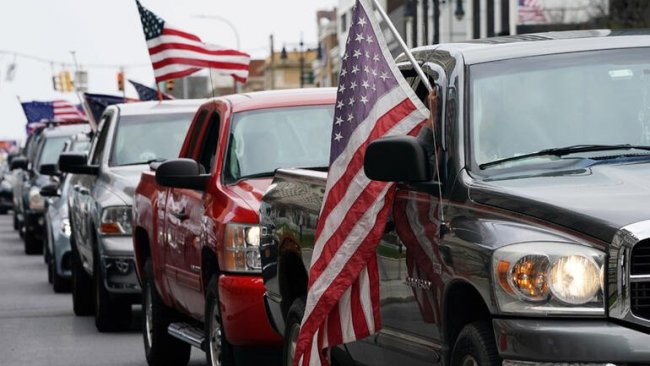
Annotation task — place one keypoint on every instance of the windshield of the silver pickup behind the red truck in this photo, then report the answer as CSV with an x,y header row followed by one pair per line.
x,y
147,138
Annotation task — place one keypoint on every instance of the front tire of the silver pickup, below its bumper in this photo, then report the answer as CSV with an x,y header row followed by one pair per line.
x,y
110,314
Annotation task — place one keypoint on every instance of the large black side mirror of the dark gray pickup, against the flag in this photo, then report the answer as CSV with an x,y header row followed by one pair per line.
x,y
397,159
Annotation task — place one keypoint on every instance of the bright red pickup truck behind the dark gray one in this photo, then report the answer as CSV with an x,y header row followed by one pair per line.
x,y
196,233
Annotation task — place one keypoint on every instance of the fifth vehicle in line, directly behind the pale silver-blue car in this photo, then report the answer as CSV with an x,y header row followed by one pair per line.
x,y
49,145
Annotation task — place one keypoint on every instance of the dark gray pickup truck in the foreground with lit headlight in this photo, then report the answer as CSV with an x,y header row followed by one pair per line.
x,y
536,247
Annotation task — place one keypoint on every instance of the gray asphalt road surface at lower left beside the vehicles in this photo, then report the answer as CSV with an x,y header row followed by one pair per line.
x,y
38,327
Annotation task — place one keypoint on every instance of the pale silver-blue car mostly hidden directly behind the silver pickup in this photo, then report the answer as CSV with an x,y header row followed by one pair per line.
x,y
57,249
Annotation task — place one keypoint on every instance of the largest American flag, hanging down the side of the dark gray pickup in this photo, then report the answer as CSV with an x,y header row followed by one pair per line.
x,y
373,101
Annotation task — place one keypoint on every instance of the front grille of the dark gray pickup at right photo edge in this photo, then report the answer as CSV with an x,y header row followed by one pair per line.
x,y
639,280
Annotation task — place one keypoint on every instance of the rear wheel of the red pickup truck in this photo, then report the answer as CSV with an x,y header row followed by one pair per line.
x,y
159,347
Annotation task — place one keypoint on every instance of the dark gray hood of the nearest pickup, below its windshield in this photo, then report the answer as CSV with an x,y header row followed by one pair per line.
x,y
596,201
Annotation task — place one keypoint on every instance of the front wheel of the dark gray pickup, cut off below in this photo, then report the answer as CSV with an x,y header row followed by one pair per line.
x,y
476,346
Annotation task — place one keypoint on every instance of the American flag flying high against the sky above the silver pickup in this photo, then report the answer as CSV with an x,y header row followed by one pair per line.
x,y
175,53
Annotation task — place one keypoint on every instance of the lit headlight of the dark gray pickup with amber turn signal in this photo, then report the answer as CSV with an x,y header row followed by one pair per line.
x,y
549,278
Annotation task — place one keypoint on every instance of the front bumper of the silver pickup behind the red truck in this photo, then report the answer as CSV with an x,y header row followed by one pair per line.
x,y
118,265
